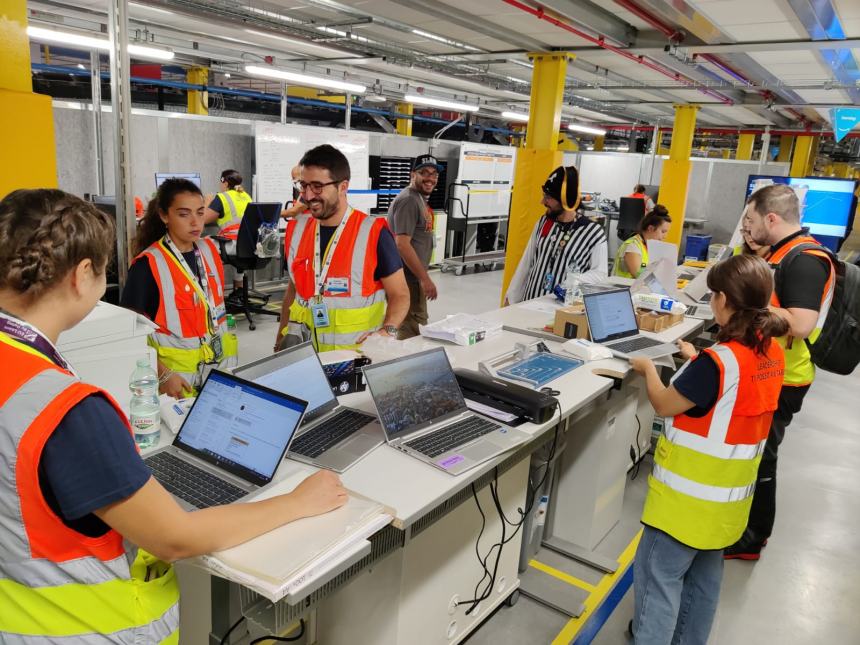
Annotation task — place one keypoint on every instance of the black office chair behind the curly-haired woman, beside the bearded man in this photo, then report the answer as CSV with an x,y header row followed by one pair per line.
x,y
246,259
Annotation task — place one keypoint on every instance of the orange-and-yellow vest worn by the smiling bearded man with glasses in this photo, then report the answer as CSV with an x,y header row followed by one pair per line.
x,y
353,313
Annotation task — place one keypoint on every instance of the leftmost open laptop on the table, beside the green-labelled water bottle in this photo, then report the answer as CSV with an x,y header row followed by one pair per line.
x,y
230,443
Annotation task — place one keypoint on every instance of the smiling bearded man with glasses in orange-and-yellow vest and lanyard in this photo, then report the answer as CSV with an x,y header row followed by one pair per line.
x,y
346,276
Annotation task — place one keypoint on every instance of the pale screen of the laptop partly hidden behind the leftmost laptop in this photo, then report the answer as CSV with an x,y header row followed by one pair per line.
x,y
295,371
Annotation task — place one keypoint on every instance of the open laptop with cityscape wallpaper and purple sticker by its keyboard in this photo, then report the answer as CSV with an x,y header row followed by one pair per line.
x,y
423,413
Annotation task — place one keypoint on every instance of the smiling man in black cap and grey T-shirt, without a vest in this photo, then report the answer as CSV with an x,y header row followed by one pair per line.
x,y
411,219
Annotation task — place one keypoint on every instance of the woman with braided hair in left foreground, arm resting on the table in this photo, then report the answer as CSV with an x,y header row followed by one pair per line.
x,y
86,533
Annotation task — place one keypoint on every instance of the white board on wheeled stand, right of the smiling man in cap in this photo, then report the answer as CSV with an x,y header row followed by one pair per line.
x,y
488,174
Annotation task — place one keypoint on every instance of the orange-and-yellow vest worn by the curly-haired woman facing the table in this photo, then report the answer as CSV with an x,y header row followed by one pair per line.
x,y
183,312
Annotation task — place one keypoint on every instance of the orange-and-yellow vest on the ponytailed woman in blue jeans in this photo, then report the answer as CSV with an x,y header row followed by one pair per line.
x,y
705,469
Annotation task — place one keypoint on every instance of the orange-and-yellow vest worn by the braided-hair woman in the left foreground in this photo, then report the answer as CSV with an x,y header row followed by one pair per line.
x,y
58,585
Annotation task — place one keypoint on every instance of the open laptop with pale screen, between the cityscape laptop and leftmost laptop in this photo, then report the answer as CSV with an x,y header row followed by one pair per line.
x,y
331,435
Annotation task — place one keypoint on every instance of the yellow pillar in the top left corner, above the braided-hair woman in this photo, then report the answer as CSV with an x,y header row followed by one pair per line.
x,y
29,153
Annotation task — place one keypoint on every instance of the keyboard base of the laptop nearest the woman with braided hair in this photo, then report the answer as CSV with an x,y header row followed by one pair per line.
x,y
196,486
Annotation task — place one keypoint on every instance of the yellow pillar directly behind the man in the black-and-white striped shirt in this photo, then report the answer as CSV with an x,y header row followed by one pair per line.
x,y
539,157
